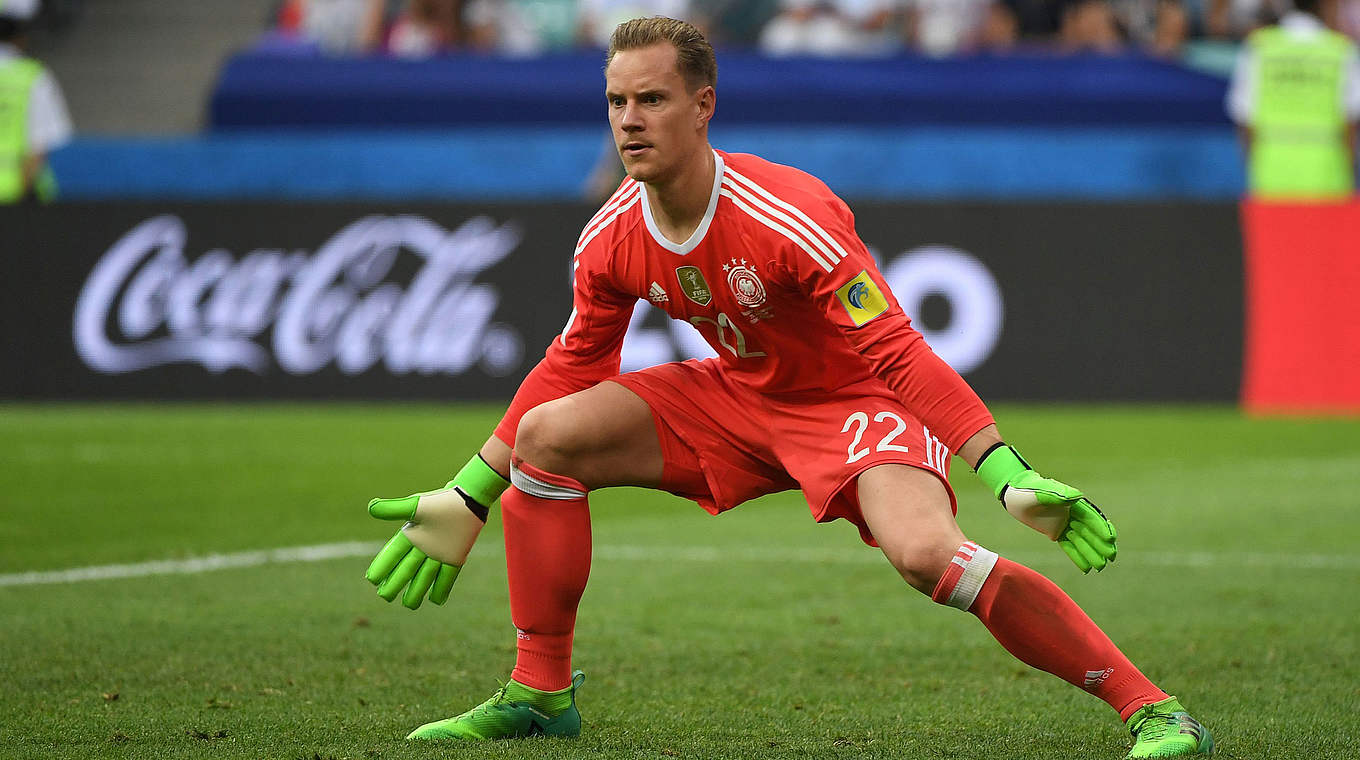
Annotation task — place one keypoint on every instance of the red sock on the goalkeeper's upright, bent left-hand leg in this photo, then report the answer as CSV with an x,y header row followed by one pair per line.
x,y
547,528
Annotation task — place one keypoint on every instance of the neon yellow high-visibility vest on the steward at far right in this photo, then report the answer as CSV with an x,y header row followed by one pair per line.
x,y
1299,124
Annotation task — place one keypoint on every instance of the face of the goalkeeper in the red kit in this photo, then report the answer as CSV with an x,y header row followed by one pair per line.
x,y
659,124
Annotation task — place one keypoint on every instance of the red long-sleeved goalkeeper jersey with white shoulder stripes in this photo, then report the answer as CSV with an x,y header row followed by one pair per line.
x,y
776,281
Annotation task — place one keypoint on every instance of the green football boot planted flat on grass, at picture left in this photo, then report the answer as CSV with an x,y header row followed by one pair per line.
x,y
515,712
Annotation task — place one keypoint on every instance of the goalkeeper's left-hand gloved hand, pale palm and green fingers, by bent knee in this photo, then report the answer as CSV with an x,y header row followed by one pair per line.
x,y
430,549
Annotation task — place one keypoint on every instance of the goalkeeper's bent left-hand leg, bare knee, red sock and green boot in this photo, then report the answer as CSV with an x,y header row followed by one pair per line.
x,y
600,437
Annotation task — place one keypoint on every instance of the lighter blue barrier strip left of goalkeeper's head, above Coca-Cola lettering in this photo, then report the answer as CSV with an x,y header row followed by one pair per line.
x,y
466,165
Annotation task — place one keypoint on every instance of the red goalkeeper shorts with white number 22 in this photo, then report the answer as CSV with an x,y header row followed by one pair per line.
x,y
726,444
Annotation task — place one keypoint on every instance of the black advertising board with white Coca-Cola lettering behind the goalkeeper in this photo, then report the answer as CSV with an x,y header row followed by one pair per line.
x,y
347,301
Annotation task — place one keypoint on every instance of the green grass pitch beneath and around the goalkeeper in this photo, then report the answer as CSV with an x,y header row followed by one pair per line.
x,y
1236,589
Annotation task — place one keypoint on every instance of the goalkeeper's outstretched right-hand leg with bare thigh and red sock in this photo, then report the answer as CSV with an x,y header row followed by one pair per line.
x,y
909,513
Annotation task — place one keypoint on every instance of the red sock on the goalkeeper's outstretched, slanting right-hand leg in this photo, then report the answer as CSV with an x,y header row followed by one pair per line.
x,y
1042,627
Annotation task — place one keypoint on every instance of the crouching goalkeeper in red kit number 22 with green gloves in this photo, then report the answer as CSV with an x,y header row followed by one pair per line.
x,y
819,384
